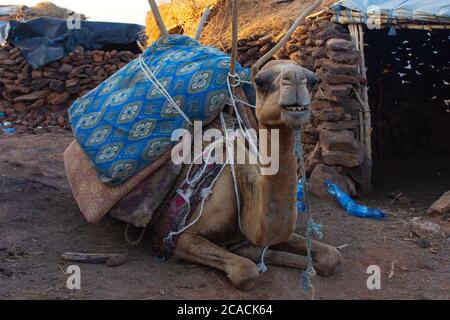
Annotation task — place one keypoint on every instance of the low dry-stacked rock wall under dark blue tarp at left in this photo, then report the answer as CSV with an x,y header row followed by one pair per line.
x,y
40,98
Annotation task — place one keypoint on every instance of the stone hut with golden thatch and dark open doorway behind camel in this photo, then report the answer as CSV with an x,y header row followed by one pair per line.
x,y
381,110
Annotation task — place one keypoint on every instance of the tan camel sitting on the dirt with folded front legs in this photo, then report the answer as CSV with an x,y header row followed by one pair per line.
x,y
268,210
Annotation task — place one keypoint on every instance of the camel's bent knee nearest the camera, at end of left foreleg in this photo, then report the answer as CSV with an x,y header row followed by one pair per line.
x,y
243,274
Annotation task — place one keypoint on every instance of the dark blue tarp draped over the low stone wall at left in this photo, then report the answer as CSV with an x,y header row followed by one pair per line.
x,y
44,40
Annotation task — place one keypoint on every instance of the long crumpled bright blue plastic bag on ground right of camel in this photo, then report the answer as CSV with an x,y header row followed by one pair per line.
x,y
351,206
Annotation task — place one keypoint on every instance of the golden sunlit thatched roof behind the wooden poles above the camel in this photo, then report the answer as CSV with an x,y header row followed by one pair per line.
x,y
256,17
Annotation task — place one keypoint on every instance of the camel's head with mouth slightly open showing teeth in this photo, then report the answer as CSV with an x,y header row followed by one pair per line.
x,y
282,94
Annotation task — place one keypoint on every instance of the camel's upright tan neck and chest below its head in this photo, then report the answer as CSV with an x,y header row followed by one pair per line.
x,y
274,220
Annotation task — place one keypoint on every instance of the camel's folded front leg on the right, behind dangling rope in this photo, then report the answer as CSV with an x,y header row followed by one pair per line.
x,y
326,258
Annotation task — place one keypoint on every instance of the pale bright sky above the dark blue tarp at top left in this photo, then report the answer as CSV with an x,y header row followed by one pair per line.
x,y
131,11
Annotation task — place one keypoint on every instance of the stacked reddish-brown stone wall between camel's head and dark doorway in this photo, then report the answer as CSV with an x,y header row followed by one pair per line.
x,y
331,141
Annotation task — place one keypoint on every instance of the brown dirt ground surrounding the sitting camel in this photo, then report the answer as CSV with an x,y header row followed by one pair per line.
x,y
39,220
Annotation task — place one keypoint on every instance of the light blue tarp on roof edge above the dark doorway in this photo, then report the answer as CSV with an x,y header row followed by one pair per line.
x,y
436,11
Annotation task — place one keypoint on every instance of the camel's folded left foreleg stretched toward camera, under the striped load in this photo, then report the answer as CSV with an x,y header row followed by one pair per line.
x,y
242,272
